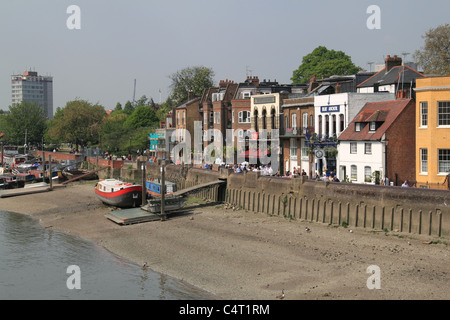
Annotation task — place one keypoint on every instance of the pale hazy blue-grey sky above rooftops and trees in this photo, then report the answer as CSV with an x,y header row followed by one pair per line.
x,y
120,41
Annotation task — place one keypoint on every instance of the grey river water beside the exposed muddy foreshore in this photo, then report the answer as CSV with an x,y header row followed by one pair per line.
x,y
34,264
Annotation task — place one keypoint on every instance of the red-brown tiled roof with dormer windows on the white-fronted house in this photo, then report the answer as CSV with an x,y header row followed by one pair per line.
x,y
383,112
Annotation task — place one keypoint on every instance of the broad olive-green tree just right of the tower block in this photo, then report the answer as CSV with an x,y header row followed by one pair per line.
x,y
79,122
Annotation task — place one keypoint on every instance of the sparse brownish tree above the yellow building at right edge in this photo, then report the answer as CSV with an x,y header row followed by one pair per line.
x,y
434,57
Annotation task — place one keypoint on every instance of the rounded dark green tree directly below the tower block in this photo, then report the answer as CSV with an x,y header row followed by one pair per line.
x,y
24,117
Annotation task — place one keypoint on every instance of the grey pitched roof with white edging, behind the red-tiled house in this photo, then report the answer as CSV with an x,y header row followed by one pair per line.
x,y
392,76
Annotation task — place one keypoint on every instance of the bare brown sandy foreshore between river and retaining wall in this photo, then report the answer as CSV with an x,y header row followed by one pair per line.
x,y
244,255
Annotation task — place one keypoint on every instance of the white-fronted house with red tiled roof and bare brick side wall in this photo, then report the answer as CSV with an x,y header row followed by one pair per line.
x,y
380,141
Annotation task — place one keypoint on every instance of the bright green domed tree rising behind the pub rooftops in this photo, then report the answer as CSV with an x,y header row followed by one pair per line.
x,y
323,63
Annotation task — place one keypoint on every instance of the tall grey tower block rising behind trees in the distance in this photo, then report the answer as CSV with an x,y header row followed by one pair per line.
x,y
31,87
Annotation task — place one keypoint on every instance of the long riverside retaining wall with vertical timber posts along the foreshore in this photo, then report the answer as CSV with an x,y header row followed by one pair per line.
x,y
408,210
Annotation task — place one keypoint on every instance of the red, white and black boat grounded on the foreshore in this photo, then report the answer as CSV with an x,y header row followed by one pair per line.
x,y
118,193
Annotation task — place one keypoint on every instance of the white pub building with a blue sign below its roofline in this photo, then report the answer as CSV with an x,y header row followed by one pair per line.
x,y
333,113
